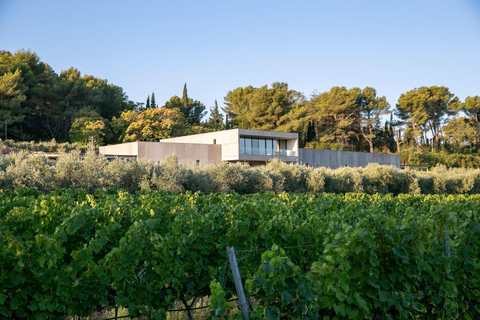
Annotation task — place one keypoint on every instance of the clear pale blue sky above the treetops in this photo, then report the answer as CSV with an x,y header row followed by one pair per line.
x,y
217,46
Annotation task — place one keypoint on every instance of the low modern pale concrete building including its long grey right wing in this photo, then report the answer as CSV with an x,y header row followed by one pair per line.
x,y
240,145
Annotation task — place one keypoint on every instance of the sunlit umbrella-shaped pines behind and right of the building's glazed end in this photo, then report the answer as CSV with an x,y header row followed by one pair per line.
x,y
354,119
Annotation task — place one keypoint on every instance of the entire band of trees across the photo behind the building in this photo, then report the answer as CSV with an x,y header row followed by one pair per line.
x,y
38,104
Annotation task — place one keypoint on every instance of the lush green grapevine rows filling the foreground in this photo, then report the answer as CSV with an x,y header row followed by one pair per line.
x,y
302,256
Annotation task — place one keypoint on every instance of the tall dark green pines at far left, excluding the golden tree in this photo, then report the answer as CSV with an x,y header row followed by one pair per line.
x,y
38,104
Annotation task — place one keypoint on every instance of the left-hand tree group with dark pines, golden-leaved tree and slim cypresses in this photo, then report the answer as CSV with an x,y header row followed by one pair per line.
x,y
38,104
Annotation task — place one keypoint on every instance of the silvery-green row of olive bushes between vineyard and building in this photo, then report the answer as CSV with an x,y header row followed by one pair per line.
x,y
92,172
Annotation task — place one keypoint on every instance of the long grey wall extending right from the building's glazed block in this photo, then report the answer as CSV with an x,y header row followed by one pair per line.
x,y
336,159
